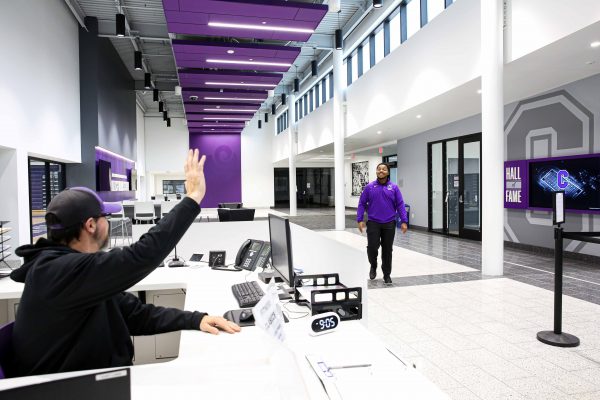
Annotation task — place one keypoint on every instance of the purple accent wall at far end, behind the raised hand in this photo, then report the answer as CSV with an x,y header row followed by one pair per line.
x,y
223,167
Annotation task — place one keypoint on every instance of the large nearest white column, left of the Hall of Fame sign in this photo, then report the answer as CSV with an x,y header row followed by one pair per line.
x,y
492,136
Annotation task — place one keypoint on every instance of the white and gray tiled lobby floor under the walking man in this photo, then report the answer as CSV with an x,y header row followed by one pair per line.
x,y
475,337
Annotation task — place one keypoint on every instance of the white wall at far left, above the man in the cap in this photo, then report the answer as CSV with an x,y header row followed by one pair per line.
x,y
39,97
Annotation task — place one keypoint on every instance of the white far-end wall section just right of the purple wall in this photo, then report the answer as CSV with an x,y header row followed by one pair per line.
x,y
257,167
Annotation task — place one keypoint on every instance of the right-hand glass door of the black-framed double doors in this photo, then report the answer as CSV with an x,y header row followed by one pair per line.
x,y
470,187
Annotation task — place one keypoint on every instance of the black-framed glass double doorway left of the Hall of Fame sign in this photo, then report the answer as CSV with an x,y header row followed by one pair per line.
x,y
454,193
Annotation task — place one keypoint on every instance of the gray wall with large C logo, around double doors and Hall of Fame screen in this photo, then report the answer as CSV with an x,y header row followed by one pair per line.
x,y
560,122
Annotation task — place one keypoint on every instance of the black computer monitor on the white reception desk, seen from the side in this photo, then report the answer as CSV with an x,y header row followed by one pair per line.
x,y
281,248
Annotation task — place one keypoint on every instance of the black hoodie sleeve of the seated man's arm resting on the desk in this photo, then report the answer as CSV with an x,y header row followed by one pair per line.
x,y
148,319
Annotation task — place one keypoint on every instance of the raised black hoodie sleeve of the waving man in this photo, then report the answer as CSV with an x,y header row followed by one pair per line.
x,y
83,279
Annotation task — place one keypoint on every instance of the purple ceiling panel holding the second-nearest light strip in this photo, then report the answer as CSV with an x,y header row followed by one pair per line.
x,y
193,54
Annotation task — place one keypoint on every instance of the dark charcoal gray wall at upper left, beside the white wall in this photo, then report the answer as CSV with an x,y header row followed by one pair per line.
x,y
108,109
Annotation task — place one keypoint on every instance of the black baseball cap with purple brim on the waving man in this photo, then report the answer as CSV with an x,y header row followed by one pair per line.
x,y
75,205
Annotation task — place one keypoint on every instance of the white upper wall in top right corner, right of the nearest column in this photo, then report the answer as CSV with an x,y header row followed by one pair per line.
x,y
534,24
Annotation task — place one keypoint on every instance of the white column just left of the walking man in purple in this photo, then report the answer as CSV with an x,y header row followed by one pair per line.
x,y
338,140
